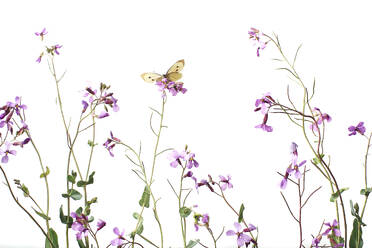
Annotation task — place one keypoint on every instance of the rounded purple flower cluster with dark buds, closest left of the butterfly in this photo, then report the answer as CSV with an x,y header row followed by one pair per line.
x,y
104,98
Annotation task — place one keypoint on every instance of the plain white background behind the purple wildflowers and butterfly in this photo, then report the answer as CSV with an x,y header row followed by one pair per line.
x,y
115,41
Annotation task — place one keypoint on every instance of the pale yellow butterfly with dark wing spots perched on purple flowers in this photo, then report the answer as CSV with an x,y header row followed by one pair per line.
x,y
173,74
